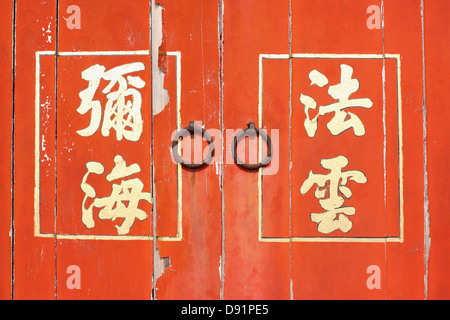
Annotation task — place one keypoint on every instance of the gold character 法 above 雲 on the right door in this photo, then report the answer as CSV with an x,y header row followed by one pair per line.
x,y
341,92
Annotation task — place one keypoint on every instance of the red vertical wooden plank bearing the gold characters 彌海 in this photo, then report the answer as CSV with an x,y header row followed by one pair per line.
x,y
114,261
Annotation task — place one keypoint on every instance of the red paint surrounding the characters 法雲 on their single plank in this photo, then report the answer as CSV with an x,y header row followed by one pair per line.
x,y
338,270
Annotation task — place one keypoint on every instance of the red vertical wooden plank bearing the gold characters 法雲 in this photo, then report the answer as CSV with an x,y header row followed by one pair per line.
x,y
331,264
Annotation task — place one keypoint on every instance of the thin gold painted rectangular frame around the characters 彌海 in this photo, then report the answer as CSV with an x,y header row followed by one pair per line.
x,y
37,226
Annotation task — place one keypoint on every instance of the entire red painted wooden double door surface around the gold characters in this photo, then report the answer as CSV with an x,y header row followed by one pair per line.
x,y
224,232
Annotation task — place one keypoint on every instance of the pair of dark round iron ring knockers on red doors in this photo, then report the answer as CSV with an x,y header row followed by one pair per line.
x,y
251,131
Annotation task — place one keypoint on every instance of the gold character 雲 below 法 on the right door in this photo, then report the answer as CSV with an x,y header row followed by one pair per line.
x,y
335,183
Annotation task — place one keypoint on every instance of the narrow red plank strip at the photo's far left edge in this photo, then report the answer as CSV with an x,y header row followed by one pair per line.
x,y
6,77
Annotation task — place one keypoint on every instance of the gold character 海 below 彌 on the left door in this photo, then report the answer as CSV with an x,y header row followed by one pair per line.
x,y
129,191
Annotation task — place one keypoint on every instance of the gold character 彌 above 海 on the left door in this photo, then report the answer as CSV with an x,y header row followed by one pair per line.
x,y
123,108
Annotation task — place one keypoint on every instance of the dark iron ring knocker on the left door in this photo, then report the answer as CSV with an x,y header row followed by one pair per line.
x,y
192,129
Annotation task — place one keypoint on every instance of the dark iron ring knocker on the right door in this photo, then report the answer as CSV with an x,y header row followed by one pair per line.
x,y
252,131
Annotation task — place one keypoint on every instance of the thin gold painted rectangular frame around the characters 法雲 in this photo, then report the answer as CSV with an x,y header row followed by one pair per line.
x,y
400,238
